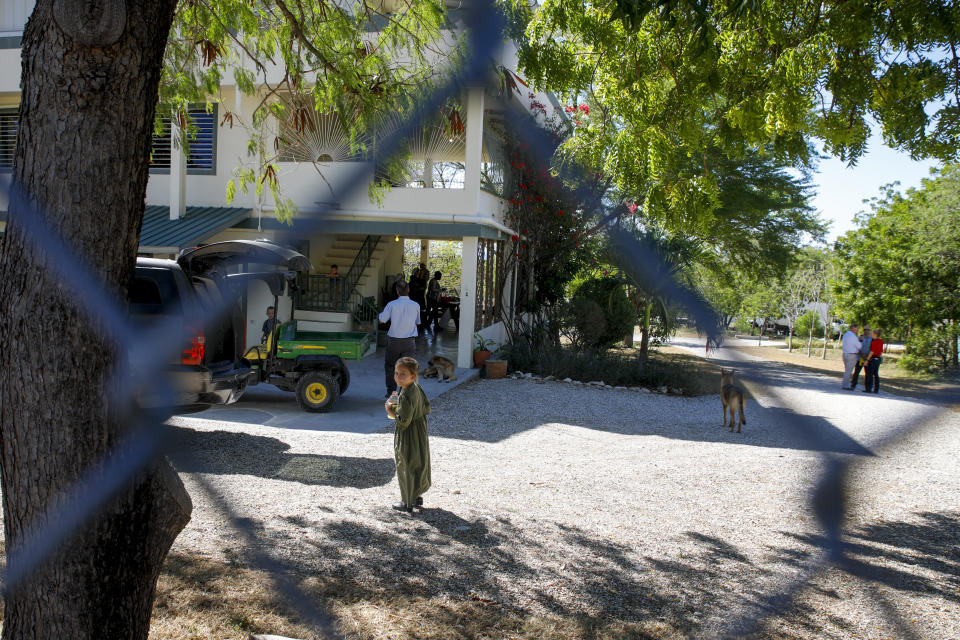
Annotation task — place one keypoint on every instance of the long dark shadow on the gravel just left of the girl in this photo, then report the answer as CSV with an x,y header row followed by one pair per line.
x,y
230,452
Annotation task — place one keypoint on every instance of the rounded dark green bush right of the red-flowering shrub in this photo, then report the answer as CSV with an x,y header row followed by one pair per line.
x,y
600,314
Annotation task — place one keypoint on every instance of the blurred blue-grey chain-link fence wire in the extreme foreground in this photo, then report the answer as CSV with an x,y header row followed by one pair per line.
x,y
148,436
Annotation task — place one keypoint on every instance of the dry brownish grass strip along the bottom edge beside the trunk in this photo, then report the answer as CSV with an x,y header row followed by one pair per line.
x,y
198,597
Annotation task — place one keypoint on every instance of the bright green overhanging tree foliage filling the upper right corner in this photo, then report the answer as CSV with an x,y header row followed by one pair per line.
x,y
695,108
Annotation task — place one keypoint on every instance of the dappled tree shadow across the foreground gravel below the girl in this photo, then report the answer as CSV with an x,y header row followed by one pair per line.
x,y
483,577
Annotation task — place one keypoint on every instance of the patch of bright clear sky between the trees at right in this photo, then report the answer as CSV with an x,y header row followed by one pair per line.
x,y
841,189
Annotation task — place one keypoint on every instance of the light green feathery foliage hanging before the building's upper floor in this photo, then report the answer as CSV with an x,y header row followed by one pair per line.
x,y
329,60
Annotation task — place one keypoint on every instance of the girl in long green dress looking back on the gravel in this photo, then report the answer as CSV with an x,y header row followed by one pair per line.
x,y
410,444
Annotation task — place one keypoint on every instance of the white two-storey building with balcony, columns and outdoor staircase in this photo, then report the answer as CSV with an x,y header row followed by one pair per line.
x,y
187,205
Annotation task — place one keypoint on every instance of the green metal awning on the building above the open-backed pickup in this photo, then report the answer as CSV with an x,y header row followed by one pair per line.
x,y
160,234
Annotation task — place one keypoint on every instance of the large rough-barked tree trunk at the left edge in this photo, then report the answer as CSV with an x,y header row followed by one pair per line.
x,y
90,76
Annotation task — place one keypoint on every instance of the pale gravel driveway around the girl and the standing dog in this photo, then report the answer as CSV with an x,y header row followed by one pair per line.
x,y
557,499
